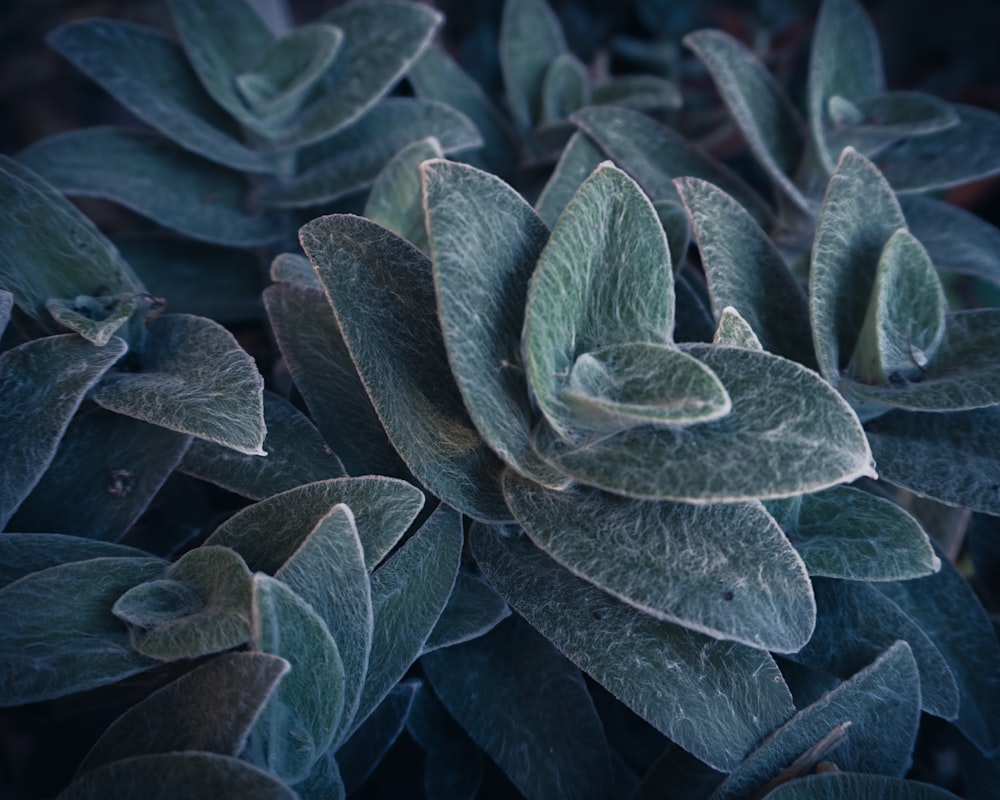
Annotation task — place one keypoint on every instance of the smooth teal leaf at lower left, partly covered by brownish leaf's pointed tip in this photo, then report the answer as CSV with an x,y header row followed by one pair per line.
x,y
301,717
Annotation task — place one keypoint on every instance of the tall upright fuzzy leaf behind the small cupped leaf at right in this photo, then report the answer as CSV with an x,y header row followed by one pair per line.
x,y
859,215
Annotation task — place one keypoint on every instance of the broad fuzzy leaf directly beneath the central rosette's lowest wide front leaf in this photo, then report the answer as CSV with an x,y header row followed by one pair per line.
x,y
676,561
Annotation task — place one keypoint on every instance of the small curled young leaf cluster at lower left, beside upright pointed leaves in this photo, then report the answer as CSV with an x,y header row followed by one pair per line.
x,y
200,605
